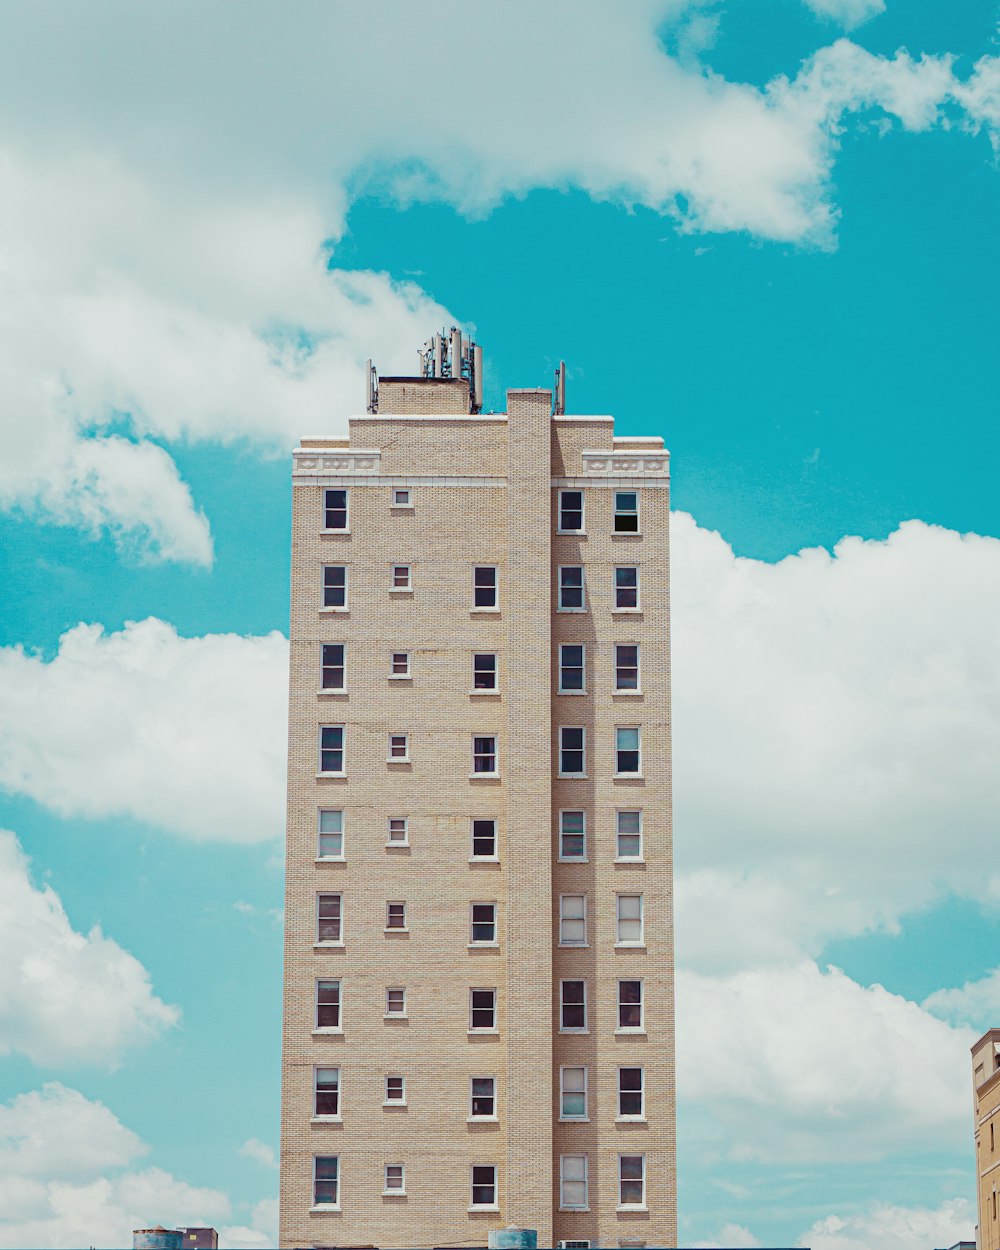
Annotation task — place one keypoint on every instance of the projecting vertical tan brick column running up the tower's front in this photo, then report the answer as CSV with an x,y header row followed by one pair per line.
x,y
529,1012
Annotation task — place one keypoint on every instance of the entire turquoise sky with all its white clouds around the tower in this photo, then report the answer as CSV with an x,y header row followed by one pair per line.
x,y
766,231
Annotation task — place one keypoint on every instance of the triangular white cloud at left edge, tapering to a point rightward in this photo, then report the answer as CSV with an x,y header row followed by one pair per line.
x,y
66,998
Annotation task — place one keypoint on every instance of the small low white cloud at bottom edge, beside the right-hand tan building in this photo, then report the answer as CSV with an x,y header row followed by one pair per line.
x,y
904,1228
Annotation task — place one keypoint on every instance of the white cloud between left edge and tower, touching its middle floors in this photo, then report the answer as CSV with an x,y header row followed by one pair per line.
x,y
186,734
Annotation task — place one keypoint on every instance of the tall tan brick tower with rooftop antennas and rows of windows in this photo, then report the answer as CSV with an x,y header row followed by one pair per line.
x,y
479,973
